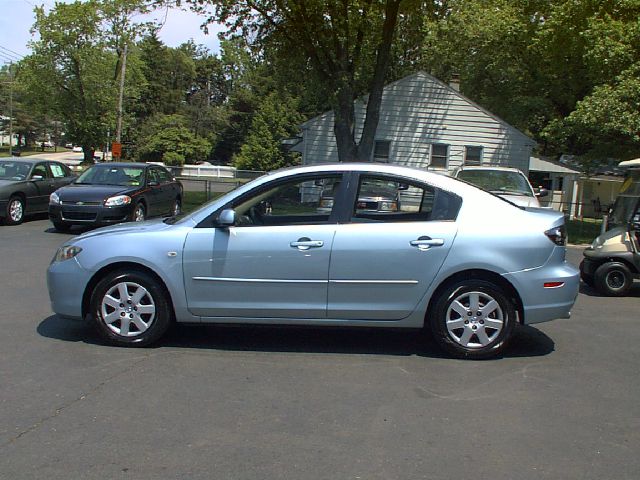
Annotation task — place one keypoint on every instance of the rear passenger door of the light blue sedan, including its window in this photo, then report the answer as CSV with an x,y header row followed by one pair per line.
x,y
408,229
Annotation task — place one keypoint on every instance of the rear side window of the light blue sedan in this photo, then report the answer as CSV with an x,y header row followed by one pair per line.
x,y
385,199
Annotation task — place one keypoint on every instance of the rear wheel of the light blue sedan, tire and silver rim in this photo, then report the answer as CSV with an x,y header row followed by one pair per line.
x,y
477,336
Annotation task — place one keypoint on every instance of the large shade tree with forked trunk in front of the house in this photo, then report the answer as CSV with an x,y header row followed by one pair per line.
x,y
346,46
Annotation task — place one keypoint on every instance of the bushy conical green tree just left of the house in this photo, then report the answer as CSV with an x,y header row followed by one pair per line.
x,y
276,119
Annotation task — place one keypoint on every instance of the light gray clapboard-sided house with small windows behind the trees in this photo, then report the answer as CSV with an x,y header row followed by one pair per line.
x,y
428,124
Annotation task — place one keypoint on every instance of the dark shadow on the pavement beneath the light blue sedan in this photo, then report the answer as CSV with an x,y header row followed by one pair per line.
x,y
527,341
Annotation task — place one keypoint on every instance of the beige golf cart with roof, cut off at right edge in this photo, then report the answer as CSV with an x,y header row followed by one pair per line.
x,y
613,260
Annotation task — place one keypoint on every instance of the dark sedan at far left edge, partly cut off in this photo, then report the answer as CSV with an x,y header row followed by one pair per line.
x,y
25,186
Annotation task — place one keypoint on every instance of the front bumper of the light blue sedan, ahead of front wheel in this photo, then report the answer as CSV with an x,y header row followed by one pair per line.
x,y
66,282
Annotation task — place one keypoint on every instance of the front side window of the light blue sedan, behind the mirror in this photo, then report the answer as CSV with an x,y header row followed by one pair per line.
x,y
307,201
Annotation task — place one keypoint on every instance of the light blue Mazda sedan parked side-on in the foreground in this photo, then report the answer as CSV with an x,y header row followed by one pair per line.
x,y
453,258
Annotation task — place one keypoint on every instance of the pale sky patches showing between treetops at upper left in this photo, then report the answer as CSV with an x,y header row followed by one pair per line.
x,y
16,19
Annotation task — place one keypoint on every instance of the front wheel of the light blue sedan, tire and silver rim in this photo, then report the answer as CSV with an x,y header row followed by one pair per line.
x,y
131,321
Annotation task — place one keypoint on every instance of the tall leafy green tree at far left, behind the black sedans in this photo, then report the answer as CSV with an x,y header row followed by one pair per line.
x,y
72,72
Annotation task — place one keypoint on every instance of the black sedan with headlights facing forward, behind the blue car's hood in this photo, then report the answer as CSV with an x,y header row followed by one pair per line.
x,y
116,192
